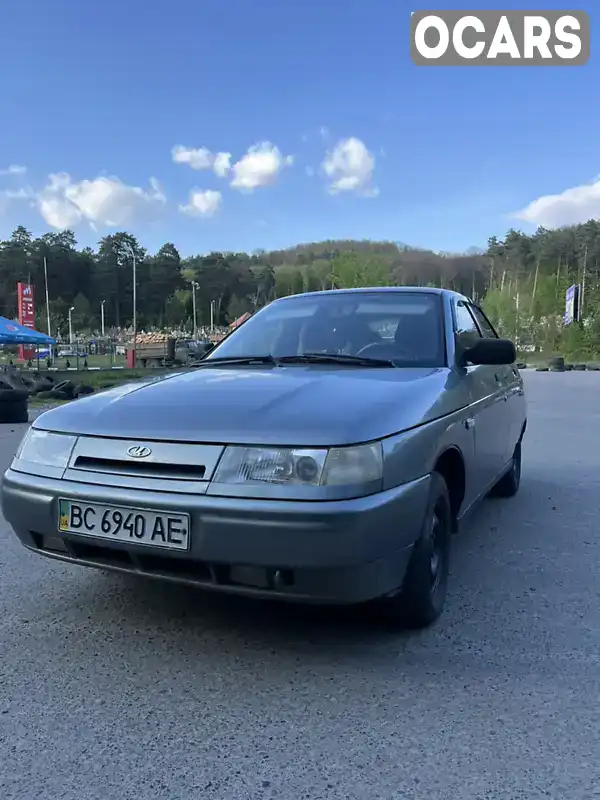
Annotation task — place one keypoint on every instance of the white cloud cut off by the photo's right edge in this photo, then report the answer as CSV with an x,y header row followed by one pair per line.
x,y
575,205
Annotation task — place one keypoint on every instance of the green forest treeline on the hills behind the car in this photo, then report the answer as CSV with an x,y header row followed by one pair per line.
x,y
521,280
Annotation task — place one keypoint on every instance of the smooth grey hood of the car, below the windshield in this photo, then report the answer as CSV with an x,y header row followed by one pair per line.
x,y
282,405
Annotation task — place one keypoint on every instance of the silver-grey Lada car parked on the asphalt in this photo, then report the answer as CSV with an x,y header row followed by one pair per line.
x,y
325,451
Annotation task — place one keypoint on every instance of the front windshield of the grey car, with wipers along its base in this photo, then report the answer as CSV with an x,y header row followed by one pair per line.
x,y
404,327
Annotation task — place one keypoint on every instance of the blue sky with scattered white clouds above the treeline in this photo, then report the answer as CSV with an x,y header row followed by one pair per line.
x,y
106,90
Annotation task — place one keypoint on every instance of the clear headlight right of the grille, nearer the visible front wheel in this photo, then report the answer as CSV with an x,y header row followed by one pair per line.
x,y
300,466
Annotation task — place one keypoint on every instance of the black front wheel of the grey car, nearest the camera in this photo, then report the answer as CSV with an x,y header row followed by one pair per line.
x,y
420,600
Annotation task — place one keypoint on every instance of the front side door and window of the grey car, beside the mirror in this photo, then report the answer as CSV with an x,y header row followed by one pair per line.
x,y
487,387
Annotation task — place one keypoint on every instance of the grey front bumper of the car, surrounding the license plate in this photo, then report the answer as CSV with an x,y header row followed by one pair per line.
x,y
345,551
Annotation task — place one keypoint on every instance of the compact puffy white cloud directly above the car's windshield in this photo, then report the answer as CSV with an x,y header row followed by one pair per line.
x,y
349,168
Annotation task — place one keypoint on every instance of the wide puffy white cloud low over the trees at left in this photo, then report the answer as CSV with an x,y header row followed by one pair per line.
x,y
104,201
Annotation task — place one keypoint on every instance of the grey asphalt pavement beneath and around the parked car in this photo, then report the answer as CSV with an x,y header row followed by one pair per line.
x,y
116,687
